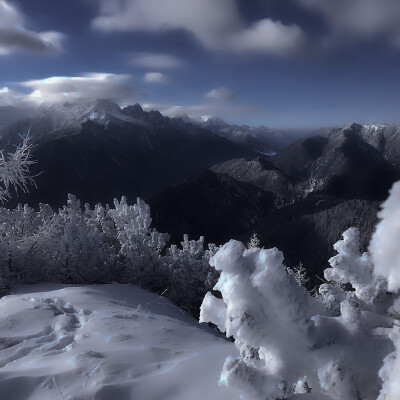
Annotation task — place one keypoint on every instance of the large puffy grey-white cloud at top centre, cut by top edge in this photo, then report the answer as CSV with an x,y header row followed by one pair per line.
x,y
217,25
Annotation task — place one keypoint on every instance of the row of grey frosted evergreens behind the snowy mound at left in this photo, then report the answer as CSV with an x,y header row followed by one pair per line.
x,y
102,245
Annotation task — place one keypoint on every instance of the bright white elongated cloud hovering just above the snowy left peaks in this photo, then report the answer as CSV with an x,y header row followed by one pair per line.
x,y
60,88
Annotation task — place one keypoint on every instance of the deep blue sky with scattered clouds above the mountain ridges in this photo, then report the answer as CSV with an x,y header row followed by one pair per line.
x,y
278,63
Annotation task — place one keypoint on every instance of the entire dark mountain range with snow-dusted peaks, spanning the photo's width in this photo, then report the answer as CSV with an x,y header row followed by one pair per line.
x,y
211,178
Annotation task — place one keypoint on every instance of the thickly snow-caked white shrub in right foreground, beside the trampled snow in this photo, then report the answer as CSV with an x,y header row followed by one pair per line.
x,y
290,342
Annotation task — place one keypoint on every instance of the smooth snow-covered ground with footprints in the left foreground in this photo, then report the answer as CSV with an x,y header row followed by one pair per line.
x,y
105,342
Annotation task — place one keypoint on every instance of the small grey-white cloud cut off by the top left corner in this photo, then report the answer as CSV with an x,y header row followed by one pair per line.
x,y
14,36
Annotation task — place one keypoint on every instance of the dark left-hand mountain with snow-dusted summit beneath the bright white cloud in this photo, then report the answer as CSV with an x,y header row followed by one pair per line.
x,y
98,151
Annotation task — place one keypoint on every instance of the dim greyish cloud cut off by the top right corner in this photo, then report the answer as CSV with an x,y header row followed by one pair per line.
x,y
359,19
